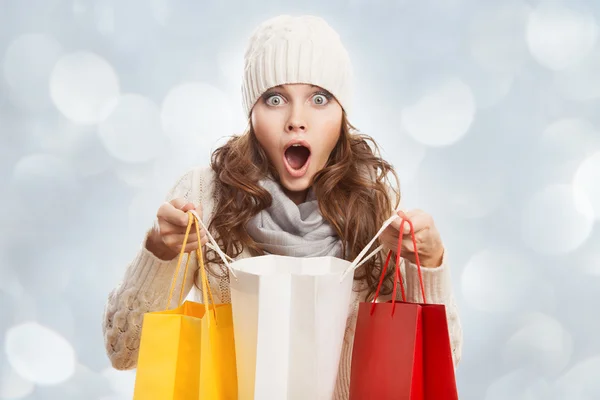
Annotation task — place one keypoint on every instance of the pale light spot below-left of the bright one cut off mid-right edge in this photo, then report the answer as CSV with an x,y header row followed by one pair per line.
x,y
552,222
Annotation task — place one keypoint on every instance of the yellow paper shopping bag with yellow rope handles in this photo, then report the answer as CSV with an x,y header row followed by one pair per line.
x,y
187,352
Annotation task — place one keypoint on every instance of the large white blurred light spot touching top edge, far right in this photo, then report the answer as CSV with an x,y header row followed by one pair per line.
x,y
559,37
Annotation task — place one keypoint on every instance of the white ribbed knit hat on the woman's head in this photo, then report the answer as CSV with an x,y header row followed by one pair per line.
x,y
302,49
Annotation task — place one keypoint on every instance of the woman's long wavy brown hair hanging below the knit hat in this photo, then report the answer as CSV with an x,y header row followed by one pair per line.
x,y
352,190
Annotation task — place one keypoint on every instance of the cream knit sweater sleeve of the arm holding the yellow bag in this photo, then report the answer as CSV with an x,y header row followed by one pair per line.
x,y
144,288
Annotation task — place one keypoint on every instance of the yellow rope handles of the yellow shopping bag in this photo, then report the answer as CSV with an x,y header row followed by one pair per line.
x,y
206,291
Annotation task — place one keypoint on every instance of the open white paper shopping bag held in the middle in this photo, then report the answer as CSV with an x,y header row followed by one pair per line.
x,y
289,317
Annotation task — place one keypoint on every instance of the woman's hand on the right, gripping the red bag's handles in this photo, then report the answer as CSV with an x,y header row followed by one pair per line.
x,y
429,242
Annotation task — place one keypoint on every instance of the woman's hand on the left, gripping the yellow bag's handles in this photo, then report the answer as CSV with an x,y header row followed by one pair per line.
x,y
166,237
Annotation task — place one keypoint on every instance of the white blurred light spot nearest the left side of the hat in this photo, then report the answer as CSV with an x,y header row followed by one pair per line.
x,y
197,115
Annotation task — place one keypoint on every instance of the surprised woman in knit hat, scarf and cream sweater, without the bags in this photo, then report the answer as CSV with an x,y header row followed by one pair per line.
x,y
299,168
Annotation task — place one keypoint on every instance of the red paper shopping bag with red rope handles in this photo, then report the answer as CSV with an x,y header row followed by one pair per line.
x,y
402,350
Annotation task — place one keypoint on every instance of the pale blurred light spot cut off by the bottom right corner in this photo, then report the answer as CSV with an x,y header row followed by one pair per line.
x,y
582,381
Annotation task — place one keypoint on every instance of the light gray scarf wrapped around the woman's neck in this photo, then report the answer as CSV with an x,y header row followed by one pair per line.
x,y
293,230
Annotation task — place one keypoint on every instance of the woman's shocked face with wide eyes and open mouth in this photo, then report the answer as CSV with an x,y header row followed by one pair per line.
x,y
298,126
